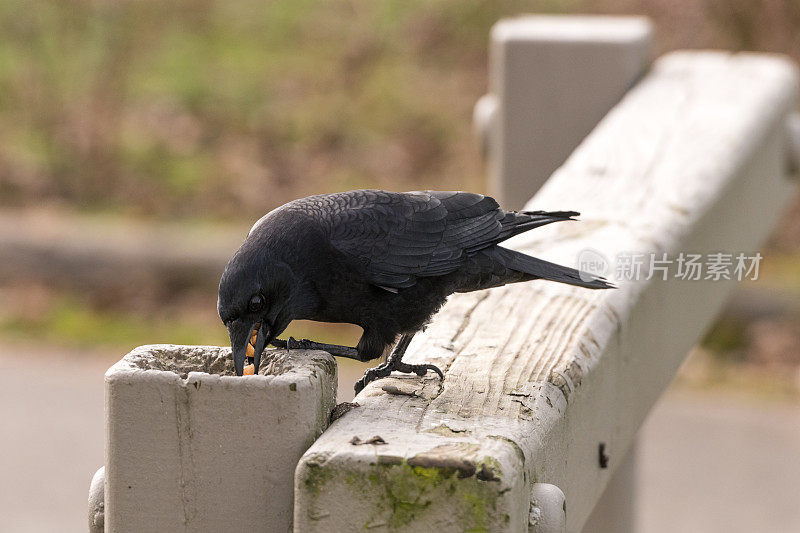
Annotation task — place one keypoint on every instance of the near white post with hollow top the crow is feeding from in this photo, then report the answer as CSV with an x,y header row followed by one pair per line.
x,y
191,447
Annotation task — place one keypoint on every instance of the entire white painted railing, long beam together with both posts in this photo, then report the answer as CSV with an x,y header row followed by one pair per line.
x,y
545,385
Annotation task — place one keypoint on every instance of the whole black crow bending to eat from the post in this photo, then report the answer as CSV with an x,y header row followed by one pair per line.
x,y
385,261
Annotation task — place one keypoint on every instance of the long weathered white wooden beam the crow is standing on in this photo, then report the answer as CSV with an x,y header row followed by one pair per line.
x,y
538,375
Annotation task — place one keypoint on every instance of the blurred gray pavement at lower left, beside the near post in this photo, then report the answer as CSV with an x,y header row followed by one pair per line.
x,y
51,436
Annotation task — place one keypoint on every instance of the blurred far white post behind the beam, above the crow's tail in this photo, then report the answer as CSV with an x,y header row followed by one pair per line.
x,y
552,78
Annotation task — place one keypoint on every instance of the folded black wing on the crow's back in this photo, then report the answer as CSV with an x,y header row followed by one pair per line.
x,y
394,238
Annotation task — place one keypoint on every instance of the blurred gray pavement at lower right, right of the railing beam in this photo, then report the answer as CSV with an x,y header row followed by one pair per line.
x,y
713,464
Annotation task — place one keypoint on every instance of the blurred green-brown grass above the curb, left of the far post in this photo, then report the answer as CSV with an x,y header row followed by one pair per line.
x,y
233,107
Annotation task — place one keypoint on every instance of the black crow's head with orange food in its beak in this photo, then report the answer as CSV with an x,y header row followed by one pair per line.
x,y
254,303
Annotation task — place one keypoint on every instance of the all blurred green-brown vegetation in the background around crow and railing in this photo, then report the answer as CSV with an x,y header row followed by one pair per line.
x,y
222,110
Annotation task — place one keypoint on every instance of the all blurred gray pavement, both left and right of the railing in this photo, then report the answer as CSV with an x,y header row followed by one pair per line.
x,y
708,463
